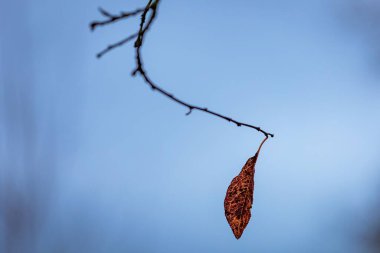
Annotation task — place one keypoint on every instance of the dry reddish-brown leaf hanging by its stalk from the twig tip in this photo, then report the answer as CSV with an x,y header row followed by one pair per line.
x,y
239,196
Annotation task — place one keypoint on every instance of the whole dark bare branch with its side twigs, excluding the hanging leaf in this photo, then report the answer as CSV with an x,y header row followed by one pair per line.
x,y
145,24
